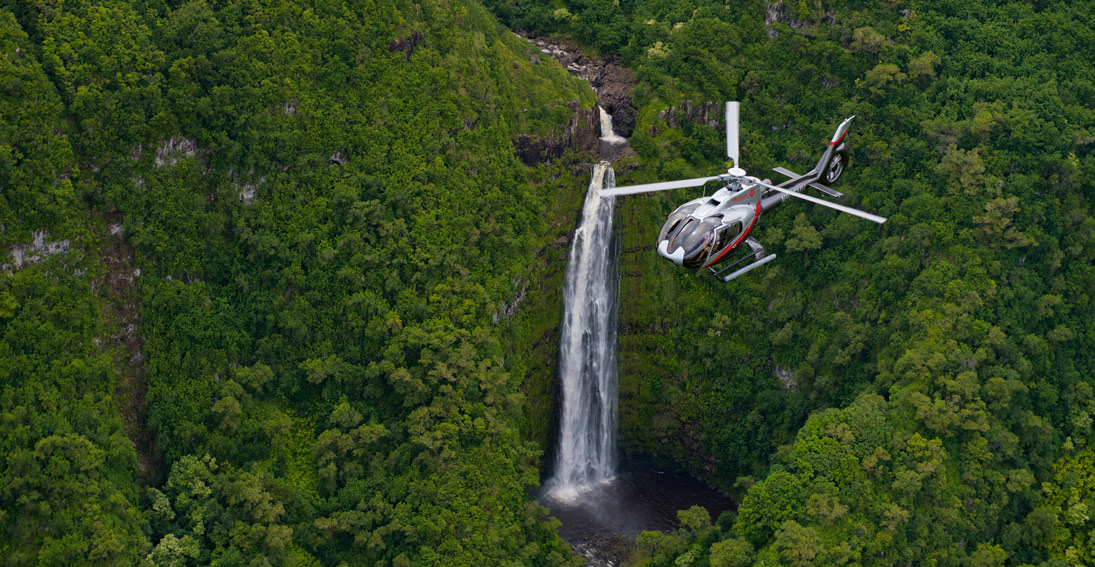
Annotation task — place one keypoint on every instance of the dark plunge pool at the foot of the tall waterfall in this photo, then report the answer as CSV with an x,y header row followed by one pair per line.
x,y
602,524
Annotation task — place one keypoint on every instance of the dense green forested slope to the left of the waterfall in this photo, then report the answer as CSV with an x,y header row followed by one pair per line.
x,y
332,238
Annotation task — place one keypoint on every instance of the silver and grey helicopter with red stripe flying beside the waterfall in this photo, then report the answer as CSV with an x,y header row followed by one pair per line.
x,y
708,230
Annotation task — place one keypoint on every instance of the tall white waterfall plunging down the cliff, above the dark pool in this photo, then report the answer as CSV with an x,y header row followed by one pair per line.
x,y
589,350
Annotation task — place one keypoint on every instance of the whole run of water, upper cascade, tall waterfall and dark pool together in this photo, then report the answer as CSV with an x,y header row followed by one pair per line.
x,y
603,524
